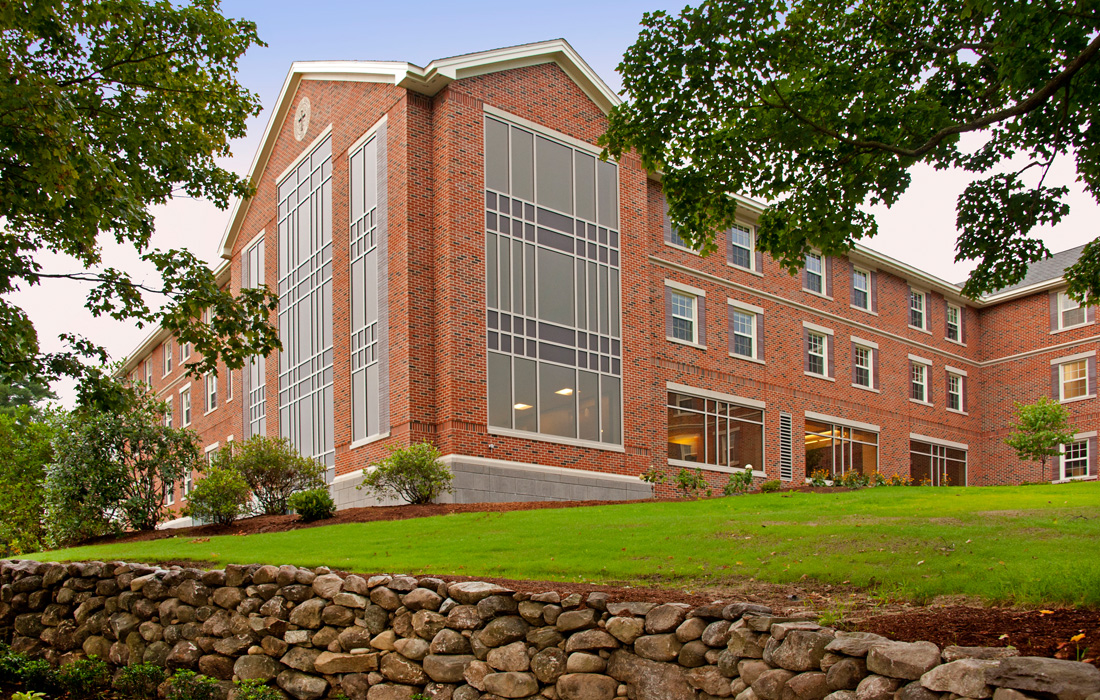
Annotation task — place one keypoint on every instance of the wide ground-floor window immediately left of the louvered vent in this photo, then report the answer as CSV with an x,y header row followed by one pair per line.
x,y
716,433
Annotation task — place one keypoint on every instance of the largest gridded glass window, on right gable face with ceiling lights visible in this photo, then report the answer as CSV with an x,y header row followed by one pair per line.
x,y
553,288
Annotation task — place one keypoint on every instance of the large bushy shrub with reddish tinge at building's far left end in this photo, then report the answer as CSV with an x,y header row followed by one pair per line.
x,y
111,469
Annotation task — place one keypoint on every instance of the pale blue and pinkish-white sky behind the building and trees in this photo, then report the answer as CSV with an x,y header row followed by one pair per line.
x,y
920,231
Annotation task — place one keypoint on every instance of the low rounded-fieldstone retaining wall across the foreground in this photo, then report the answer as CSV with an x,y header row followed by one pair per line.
x,y
317,635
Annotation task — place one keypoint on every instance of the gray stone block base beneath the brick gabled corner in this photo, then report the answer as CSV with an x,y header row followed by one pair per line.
x,y
499,482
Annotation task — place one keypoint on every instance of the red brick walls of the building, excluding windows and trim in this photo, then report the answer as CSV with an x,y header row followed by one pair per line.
x,y
437,305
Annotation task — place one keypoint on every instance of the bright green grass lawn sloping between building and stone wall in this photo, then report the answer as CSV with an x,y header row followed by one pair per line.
x,y
1028,545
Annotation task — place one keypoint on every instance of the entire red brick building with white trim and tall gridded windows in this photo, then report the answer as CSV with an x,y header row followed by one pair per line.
x,y
455,264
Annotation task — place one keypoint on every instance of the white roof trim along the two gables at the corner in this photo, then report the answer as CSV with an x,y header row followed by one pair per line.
x,y
426,81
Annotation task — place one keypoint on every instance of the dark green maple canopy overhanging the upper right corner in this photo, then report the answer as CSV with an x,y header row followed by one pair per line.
x,y
823,107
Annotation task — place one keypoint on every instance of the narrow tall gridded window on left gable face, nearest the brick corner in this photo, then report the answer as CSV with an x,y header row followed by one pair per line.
x,y
368,184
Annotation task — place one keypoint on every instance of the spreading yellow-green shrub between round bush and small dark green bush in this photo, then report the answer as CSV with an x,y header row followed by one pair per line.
x,y
273,469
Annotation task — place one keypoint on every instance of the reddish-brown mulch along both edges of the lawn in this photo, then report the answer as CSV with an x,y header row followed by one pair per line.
x,y
1033,632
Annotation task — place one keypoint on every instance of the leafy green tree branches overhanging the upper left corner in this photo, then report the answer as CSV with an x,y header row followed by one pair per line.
x,y
106,108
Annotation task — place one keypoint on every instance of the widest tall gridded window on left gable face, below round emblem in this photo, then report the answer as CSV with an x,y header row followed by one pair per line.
x,y
305,315
